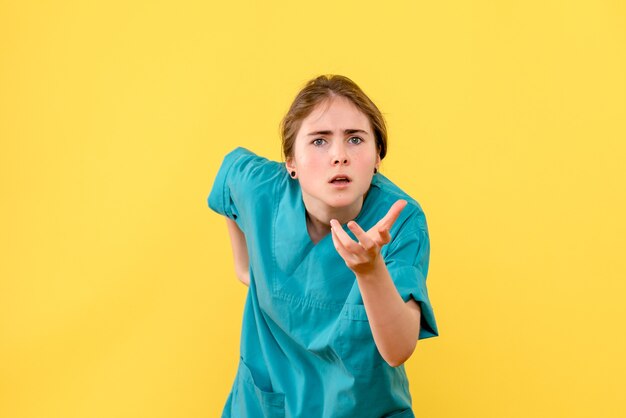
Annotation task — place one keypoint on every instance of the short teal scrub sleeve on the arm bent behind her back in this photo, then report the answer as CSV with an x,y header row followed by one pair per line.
x,y
241,172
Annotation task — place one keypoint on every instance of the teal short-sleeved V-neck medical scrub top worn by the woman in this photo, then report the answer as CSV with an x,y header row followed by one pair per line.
x,y
306,345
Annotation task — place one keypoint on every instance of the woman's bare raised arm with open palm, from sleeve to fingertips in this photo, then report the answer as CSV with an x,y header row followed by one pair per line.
x,y
395,324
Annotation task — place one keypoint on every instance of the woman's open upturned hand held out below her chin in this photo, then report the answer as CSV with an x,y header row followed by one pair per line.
x,y
361,256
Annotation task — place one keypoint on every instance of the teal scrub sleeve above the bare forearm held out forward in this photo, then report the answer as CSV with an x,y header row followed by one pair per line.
x,y
407,263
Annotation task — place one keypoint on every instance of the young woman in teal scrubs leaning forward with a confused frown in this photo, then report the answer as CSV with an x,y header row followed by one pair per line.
x,y
336,258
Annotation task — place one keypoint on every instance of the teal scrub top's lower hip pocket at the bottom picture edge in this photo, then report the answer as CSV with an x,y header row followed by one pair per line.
x,y
252,401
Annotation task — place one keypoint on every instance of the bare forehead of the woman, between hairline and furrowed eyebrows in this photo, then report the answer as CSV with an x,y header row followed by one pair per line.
x,y
336,112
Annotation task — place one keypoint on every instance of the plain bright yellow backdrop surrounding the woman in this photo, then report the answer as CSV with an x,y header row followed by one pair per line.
x,y
506,122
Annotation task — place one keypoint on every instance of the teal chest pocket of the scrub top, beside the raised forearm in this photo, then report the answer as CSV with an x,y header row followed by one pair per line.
x,y
357,348
